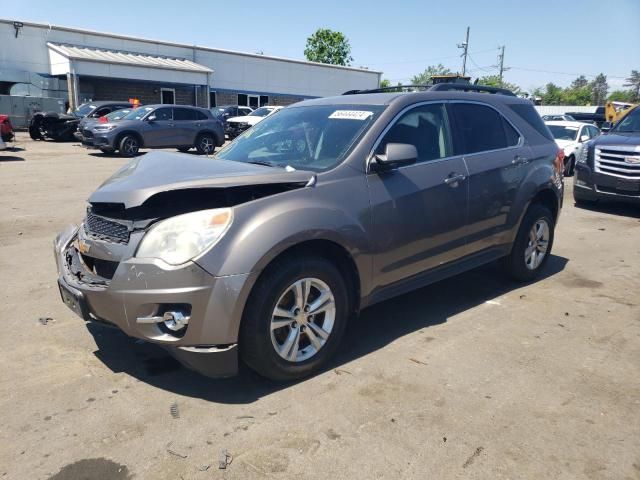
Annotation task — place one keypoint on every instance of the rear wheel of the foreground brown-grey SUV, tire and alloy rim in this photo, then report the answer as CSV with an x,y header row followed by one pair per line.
x,y
519,265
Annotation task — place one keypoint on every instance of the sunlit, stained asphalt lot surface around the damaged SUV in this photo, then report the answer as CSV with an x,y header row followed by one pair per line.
x,y
474,377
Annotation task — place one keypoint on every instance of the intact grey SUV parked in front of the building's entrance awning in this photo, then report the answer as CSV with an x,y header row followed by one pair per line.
x,y
157,126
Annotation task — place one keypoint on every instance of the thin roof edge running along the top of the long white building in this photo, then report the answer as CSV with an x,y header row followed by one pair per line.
x,y
182,45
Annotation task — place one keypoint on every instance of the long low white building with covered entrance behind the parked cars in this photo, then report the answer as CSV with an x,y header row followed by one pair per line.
x,y
77,65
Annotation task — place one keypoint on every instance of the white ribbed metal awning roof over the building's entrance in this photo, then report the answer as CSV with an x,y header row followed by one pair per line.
x,y
90,54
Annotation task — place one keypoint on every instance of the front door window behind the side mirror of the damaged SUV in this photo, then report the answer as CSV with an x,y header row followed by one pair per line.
x,y
426,127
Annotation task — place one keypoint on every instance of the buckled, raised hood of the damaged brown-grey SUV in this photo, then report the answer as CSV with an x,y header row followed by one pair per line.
x,y
158,172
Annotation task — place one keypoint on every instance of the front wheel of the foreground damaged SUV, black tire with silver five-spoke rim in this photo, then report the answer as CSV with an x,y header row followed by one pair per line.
x,y
275,289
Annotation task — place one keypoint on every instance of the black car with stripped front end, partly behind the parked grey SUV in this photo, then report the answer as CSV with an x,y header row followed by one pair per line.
x,y
61,127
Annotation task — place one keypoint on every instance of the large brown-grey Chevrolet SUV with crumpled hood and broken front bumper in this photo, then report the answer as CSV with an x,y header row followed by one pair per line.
x,y
328,207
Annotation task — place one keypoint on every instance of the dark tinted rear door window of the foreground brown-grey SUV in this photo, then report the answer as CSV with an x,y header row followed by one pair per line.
x,y
479,128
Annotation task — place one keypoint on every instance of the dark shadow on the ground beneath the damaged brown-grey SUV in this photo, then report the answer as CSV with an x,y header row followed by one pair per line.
x,y
374,329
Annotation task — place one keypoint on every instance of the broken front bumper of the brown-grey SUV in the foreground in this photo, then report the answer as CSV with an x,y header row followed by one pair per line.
x,y
126,294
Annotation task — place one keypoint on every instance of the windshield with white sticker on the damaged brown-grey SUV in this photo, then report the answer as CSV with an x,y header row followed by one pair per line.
x,y
313,138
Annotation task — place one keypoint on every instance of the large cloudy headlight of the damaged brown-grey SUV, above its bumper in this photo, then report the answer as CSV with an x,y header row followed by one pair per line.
x,y
179,239
